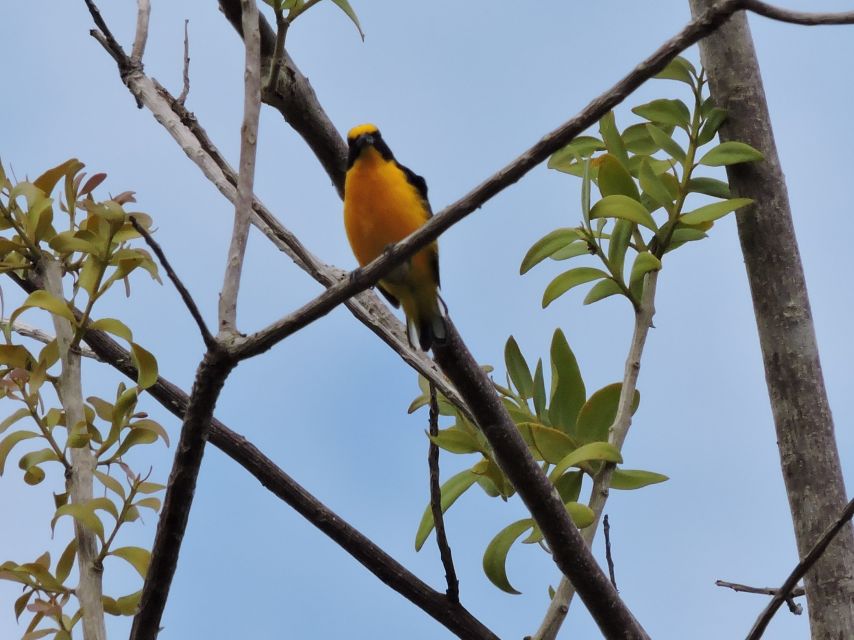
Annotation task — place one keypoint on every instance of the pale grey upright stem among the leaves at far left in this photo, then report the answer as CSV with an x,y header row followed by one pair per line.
x,y
80,482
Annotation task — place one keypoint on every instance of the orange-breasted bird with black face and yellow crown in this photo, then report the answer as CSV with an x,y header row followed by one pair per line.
x,y
384,202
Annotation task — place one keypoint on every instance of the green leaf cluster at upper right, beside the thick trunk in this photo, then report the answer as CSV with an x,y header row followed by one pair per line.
x,y
646,178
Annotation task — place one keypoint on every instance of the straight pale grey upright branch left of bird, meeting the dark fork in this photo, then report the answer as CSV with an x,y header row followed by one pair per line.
x,y
246,178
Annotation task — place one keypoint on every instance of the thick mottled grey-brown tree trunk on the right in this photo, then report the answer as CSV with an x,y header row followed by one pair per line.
x,y
805,435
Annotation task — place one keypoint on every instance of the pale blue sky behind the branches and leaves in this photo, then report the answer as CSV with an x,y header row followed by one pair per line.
x,y
459,89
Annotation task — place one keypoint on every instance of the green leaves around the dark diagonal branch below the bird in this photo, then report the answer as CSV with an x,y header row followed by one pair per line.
x,y
566,431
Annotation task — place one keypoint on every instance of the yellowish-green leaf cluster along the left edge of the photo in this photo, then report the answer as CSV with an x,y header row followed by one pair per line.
x,y
94,253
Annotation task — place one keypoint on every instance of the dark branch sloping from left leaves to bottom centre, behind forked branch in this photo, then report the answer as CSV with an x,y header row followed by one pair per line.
x,y
453,616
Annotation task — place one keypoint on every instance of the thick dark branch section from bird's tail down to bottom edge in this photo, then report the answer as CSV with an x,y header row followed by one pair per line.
x,y
569,550
